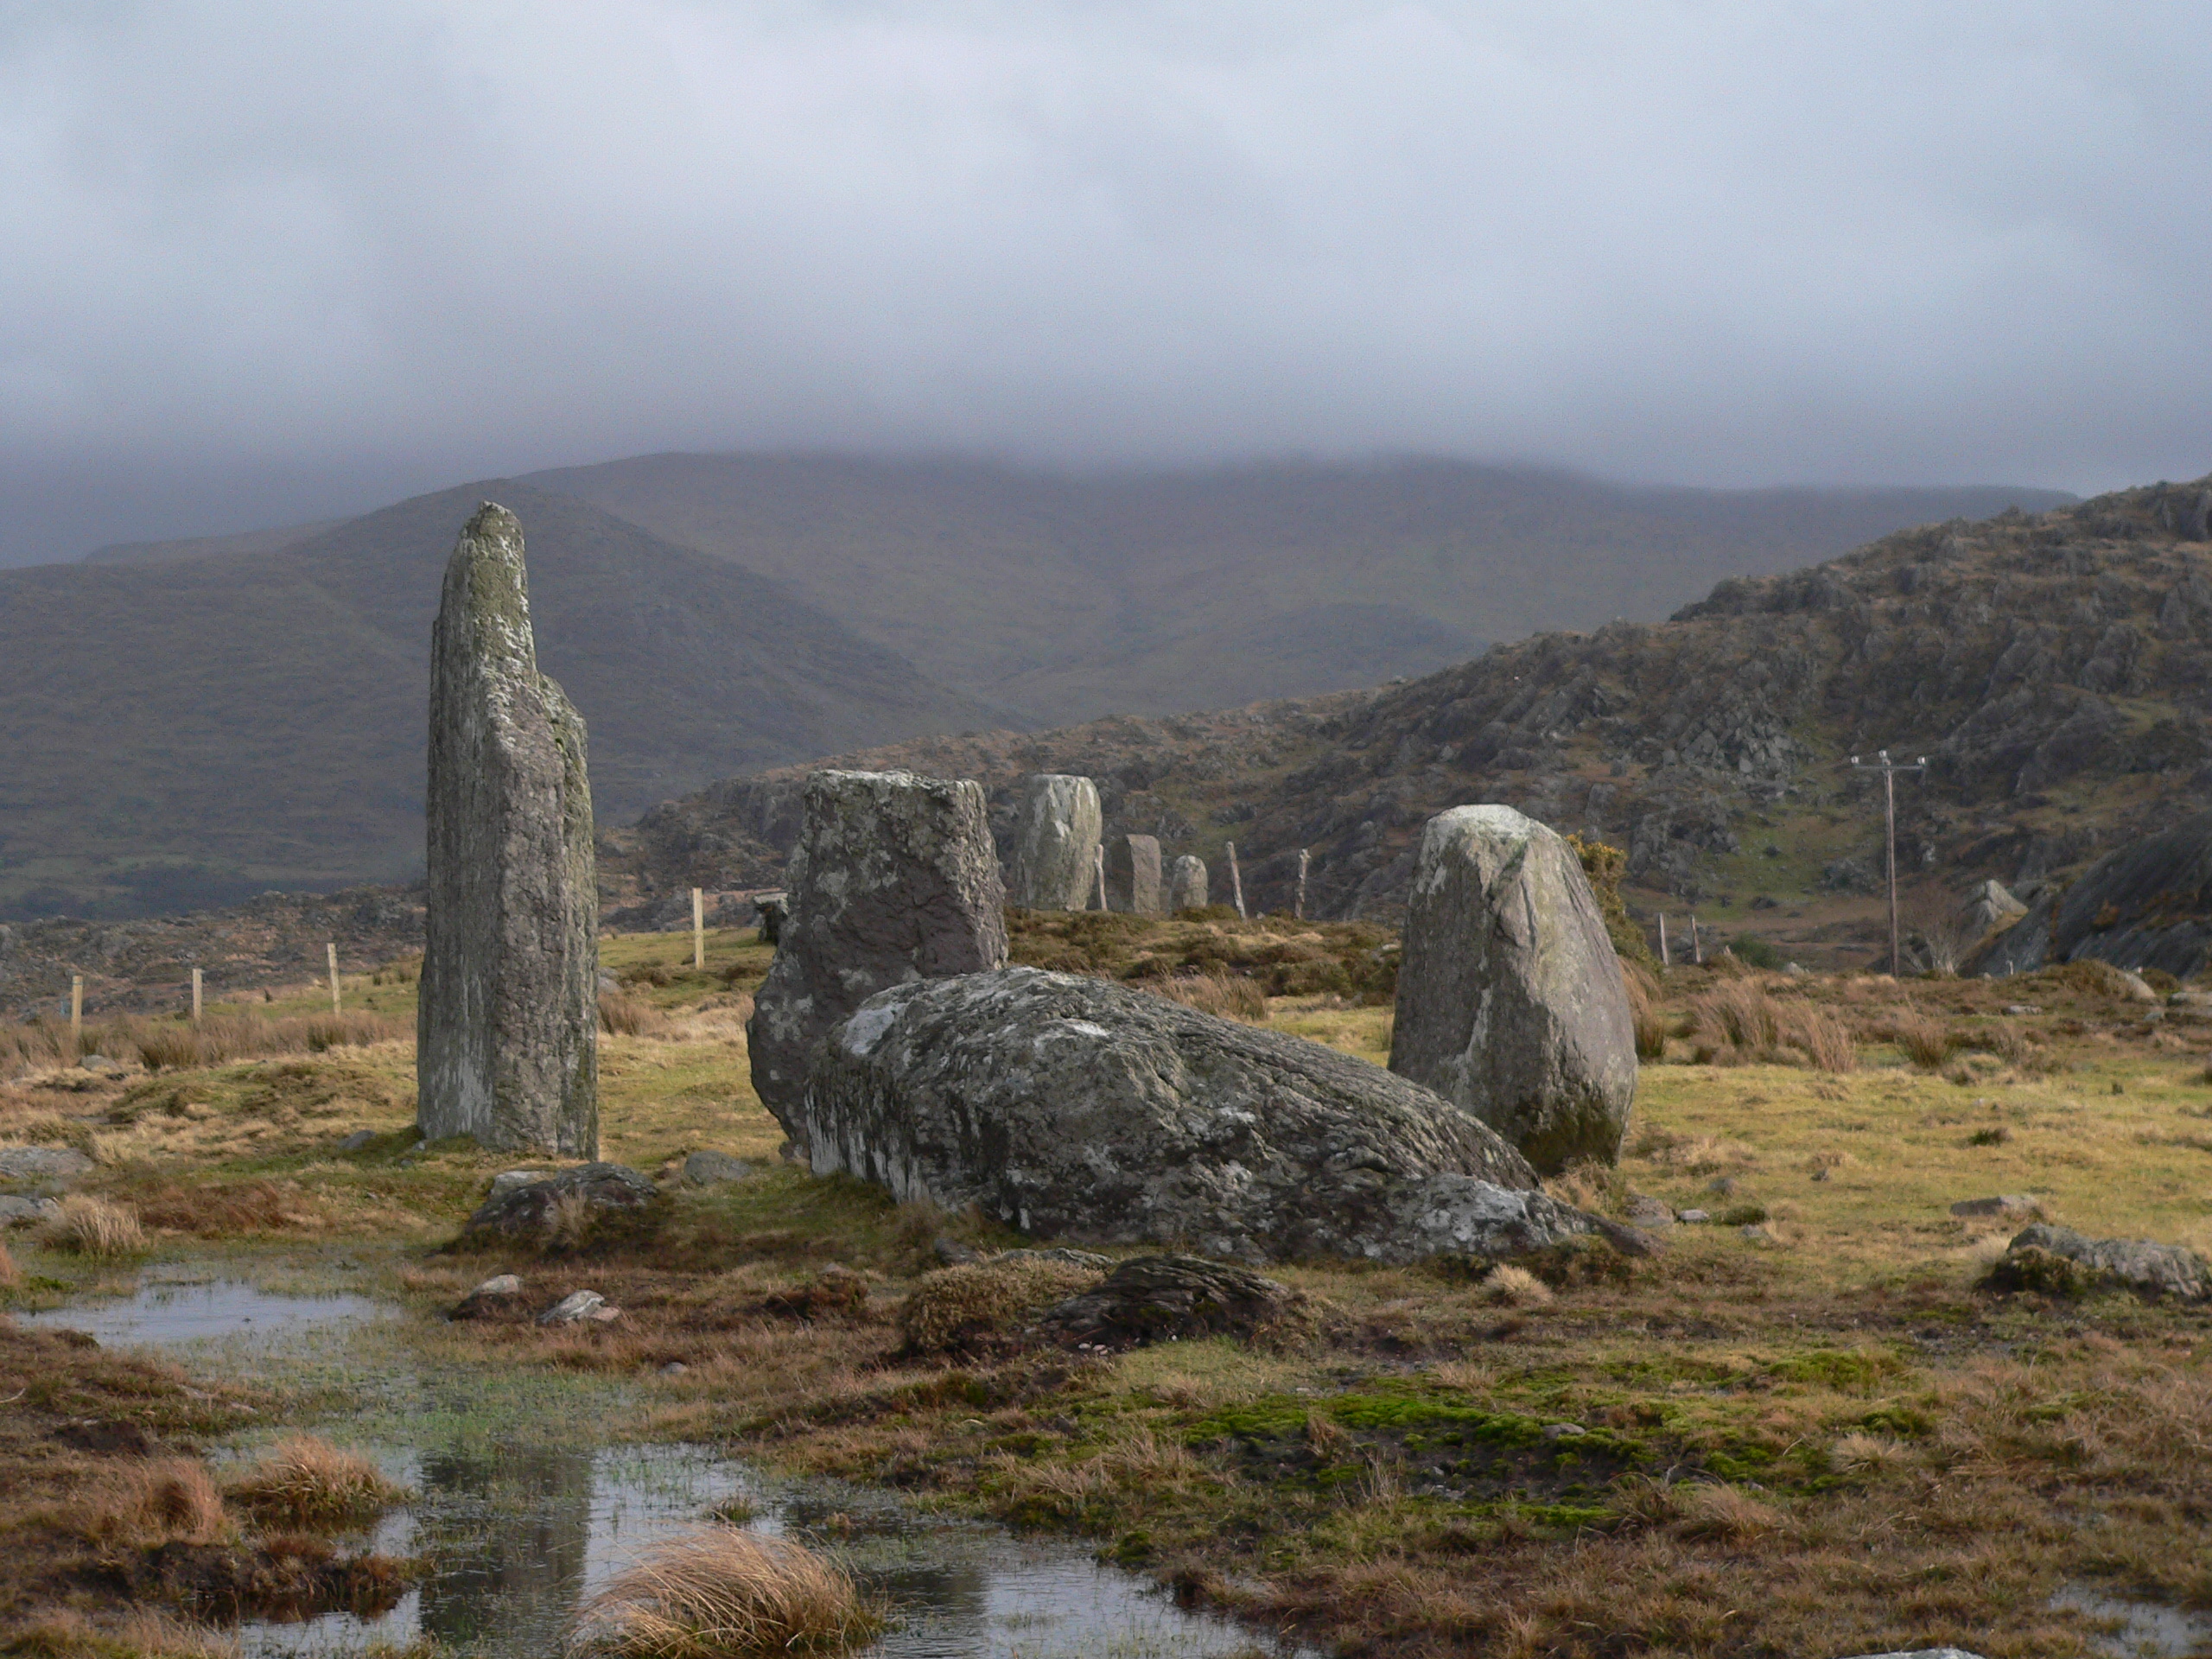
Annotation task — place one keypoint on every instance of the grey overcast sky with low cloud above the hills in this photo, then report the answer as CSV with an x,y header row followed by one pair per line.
x,y
273,262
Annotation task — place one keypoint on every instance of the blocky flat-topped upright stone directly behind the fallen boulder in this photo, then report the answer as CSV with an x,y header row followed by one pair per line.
x,y
895,879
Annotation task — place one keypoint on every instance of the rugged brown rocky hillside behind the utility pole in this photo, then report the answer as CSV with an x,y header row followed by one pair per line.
x,y
2056,669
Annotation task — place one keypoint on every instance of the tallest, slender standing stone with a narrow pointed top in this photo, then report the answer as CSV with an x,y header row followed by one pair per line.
x,y
508,1039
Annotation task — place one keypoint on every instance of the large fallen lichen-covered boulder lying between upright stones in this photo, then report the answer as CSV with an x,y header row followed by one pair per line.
x,y
1089,1112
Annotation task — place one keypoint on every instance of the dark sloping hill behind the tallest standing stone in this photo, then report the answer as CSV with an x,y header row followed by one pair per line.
x,y
187,731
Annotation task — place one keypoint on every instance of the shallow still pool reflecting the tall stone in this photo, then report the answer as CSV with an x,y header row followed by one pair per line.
x,y
523,1512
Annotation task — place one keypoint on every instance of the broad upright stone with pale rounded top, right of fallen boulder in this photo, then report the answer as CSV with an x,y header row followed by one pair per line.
x,y
1510,997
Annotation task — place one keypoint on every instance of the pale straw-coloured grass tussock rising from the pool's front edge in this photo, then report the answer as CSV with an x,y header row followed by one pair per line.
x,y
722,1592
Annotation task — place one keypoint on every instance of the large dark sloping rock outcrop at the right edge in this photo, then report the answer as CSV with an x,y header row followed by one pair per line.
x,y
2147,906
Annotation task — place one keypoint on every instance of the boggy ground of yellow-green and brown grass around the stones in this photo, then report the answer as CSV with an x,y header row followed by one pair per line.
x,y
1804,1428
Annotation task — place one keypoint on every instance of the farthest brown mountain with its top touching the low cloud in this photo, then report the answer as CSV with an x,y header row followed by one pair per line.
x,y
1158,592
